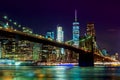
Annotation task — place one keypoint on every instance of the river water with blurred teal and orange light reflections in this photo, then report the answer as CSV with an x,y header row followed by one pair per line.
x,y
58,73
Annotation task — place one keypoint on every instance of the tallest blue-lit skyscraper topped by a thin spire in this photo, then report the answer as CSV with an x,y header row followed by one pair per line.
x,y
76,33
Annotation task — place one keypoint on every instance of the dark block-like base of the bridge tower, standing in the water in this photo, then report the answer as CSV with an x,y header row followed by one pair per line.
x,y
86,59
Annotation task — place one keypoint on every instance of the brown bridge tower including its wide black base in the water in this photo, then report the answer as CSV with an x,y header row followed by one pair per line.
x,y
87,58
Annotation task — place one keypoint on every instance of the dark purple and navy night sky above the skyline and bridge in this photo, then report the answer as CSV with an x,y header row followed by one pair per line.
x,y
45,15
